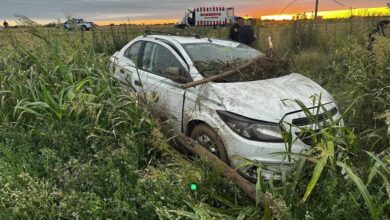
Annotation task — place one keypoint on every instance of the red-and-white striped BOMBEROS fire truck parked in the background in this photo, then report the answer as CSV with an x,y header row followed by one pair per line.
x,y
207,17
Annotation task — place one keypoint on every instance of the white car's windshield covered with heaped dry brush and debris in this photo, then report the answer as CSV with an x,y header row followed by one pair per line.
x,y
212,59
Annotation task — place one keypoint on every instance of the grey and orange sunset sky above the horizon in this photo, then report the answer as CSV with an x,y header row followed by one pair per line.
x,y
104,11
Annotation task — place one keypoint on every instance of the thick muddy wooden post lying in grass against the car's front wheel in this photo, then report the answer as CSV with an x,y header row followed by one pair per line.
x,y
248,187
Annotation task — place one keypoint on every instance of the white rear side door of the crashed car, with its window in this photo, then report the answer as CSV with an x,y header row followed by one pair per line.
x,y
127,73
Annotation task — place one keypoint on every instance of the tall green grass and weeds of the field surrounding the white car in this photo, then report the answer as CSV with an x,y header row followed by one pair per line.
x,y
73,144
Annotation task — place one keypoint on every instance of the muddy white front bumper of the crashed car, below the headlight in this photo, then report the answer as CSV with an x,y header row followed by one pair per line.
x,y
268,155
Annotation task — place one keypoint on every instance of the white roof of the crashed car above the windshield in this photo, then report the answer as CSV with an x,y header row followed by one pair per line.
x,y
193,40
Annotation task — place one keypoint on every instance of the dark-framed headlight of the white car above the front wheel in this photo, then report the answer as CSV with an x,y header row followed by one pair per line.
x,y
253,129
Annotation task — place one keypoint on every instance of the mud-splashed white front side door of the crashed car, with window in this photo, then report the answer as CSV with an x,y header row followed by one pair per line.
x,y
157,78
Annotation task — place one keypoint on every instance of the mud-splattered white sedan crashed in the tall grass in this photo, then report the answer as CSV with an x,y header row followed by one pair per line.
x,y
233,119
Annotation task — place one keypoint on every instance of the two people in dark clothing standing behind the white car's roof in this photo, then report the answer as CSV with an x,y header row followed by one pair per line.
x,y
240,32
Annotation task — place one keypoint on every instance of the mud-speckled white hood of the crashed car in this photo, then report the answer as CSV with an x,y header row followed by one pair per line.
x,y
271,99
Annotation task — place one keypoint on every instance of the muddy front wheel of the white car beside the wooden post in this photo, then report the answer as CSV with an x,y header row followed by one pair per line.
x,y
207,137
